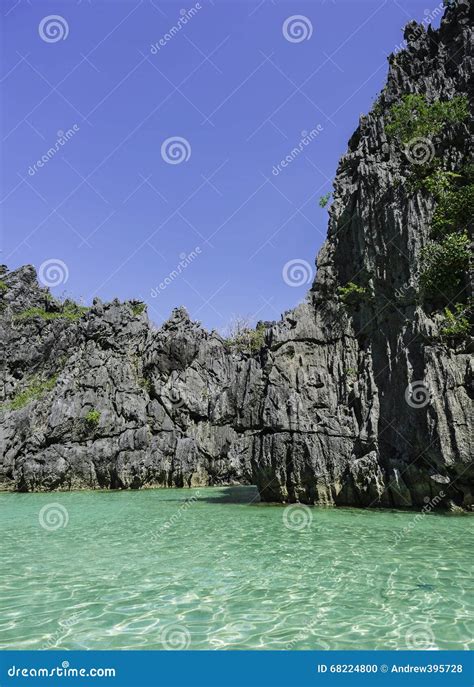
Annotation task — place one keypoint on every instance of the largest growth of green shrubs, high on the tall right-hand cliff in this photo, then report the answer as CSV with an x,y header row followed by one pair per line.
x,y
445,259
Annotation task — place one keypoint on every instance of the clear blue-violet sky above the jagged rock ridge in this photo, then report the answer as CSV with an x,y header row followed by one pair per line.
x,y
143,140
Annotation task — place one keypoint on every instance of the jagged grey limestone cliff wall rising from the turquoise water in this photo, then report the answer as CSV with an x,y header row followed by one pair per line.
x,y
350,400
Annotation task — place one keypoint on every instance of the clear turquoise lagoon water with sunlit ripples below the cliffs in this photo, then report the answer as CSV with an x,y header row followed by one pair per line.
x,y
212,569
